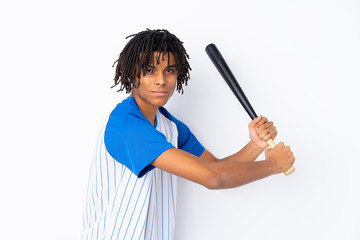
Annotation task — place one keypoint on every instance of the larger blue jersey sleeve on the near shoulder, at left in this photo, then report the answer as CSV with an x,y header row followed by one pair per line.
x,y
134,142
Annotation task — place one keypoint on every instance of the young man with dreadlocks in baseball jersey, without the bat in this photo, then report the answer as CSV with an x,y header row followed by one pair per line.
x,y
132,185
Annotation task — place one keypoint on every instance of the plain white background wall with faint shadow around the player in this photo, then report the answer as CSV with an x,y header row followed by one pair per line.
x,y
297,61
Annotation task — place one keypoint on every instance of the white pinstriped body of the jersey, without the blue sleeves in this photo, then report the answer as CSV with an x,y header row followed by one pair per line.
x,y
119,205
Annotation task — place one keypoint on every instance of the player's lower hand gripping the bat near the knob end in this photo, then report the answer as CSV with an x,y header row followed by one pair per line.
x,y
281,157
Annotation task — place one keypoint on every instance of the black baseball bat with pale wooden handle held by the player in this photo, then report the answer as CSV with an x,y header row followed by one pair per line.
x,y
221,65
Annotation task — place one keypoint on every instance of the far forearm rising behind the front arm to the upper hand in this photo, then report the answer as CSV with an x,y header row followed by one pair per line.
x,y
249,153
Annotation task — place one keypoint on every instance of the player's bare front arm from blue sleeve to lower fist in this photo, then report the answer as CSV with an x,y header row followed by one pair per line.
x,y
224,174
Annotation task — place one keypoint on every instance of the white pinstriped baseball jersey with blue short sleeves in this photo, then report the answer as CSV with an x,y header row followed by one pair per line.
x,y
128,198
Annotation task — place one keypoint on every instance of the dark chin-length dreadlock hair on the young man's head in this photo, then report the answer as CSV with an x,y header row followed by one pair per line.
x,y
138,54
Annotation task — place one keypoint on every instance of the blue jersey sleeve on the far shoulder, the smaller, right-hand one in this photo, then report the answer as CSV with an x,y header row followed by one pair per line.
x,y
186,139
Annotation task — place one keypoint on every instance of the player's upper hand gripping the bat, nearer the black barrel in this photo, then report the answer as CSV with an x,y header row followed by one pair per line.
x,y
260,130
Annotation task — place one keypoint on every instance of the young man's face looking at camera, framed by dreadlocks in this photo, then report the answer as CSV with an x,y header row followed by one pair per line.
x,y
158,84
